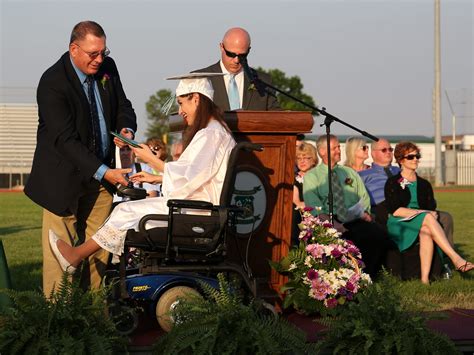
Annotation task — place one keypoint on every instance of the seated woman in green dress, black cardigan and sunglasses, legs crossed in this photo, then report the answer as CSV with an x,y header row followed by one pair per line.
x,y
413,217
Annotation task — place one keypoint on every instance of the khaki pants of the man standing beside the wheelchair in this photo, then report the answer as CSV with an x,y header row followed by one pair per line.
x,y
93,209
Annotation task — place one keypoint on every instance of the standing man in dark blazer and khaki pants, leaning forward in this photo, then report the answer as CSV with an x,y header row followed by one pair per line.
x,y
71,177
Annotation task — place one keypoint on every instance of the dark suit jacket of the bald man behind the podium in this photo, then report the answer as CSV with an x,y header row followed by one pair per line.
x,y
251,98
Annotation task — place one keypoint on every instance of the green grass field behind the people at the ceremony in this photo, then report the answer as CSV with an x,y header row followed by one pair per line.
x,y
20,231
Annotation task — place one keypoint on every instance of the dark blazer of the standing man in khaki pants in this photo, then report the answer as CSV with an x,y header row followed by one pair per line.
x,y
63,165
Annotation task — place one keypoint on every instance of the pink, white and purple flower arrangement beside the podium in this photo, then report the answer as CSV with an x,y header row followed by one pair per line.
x,y
324,271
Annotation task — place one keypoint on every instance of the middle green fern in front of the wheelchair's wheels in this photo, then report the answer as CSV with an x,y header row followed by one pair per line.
x,y
221,324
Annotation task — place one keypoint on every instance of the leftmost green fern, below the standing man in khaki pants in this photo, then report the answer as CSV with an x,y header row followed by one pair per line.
x,y
70,321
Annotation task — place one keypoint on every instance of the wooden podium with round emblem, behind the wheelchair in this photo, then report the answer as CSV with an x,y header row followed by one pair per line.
x,y
264,186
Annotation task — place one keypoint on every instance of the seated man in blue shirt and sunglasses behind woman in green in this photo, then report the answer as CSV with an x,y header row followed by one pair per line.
x,y
374,180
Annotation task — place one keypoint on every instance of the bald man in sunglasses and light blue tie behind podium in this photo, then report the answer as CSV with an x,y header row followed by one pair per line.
x,y
234,90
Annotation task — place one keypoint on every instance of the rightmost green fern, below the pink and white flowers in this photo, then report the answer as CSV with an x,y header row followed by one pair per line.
x,y
379,324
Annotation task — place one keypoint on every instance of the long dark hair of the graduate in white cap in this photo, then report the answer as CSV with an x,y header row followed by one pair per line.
x,y
206,110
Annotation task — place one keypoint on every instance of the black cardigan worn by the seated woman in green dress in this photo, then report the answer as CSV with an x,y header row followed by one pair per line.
x,y
396,197
